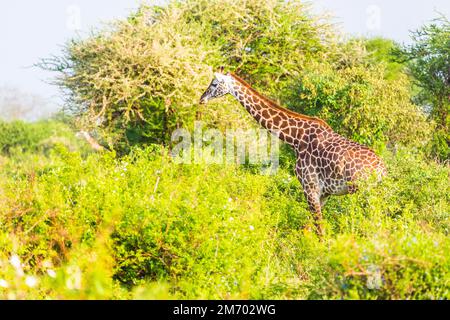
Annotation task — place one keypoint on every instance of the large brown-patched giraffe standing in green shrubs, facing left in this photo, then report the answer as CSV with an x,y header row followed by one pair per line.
x,y
327,163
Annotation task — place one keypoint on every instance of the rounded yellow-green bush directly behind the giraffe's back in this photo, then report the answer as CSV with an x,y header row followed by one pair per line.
x,y
356,100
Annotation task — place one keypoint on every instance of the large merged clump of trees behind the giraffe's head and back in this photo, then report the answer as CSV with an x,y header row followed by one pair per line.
x,y
144,76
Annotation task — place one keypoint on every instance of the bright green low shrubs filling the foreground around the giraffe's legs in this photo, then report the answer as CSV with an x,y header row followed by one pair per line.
x,y
142,226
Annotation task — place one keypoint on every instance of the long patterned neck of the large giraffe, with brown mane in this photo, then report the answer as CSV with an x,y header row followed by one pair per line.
x,y
289,126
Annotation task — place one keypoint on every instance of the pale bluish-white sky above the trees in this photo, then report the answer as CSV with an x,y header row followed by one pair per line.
x,y
30,30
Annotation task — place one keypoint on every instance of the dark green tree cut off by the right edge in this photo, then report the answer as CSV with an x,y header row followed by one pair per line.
x,y
428,61
